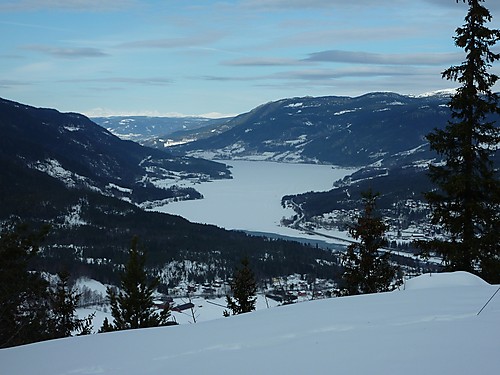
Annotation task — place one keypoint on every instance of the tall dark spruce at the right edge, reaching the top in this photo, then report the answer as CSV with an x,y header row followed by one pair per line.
x,y
466,202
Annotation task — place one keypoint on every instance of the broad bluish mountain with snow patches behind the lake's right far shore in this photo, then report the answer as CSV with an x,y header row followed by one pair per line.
x,y
343,131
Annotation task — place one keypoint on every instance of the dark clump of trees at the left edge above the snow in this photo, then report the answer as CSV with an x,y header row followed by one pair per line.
x,y
31,307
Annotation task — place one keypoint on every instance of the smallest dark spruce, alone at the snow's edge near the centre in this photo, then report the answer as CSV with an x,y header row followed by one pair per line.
x,y
243,289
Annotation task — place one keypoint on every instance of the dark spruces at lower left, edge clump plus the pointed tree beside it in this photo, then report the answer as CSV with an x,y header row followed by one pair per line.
x,y
36,306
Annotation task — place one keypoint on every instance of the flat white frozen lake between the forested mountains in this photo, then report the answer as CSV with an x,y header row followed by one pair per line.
x,y
251,201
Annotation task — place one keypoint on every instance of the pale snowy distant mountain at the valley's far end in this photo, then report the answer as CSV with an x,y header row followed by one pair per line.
x,y
148,130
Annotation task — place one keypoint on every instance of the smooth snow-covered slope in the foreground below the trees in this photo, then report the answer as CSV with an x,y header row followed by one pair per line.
x,y
430,327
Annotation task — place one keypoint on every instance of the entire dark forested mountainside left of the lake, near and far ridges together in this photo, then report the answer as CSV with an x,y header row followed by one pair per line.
x,y
64,170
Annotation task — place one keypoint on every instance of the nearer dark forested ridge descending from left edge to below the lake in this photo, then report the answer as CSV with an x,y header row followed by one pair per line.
x,y
107,220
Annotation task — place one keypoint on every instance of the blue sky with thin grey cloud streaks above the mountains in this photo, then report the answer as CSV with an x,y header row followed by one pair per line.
x,y
162,57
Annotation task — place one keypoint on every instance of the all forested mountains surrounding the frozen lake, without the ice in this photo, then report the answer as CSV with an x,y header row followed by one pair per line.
x,y
64,169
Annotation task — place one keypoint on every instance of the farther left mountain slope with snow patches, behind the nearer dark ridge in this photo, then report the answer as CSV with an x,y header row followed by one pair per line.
x,y
75,150
